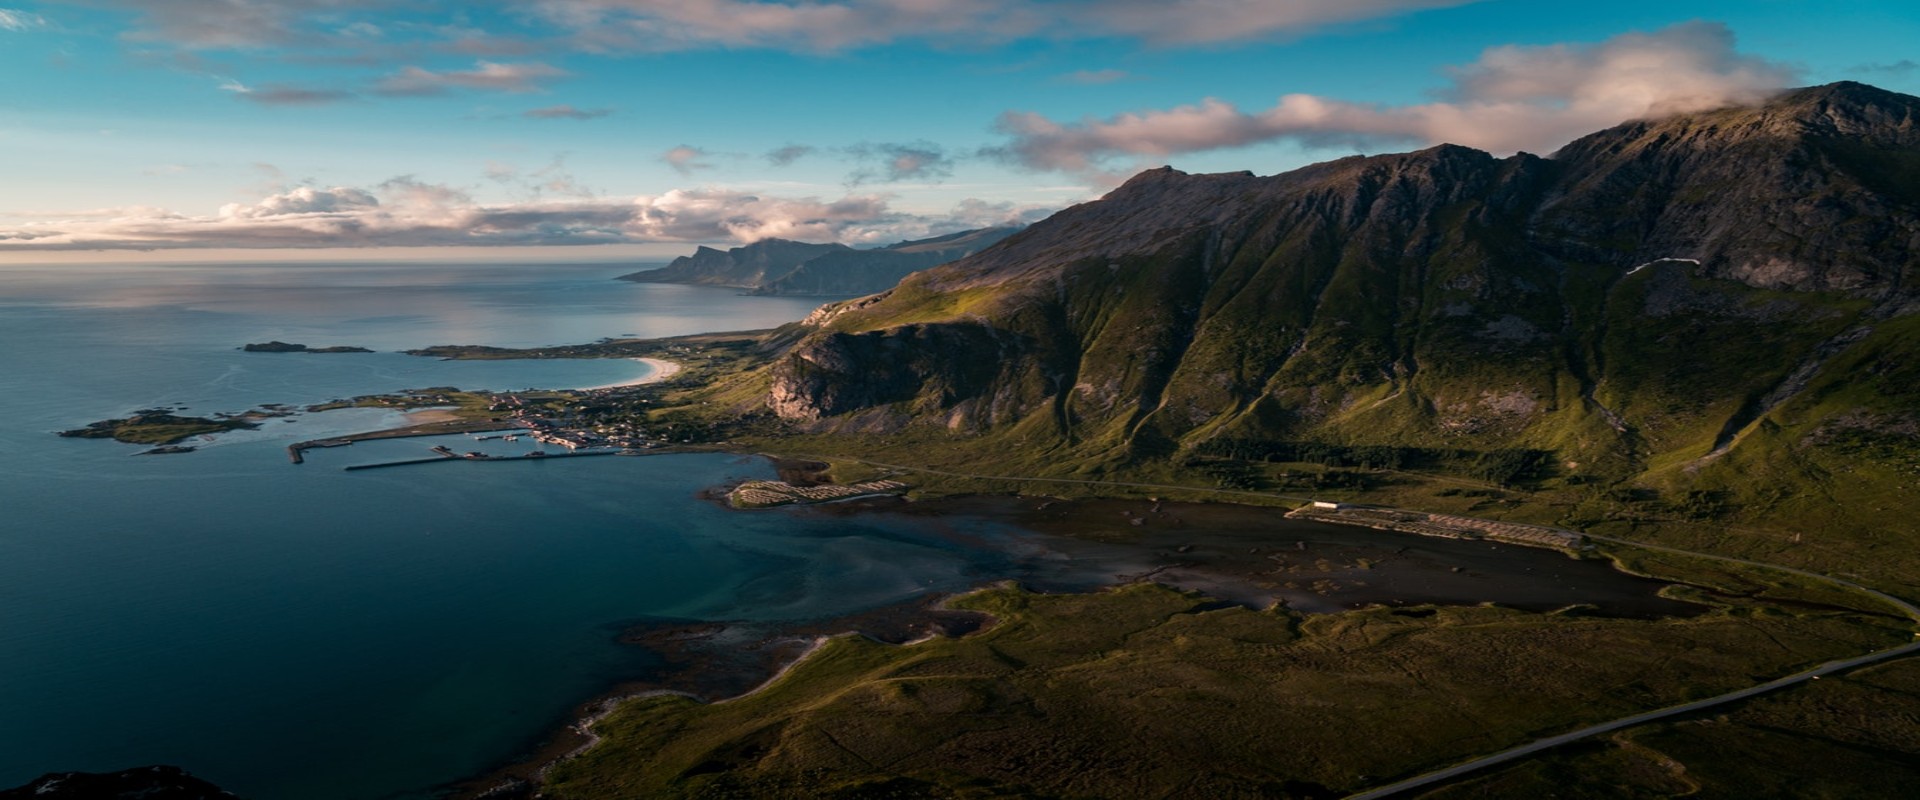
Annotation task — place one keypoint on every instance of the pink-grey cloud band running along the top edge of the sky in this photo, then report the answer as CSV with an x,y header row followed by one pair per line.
x,y
798,26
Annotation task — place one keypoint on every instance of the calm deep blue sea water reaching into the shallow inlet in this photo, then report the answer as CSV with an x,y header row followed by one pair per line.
x,y
304,632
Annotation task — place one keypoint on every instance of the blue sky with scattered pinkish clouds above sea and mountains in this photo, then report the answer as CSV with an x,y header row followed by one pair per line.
x,y
621,129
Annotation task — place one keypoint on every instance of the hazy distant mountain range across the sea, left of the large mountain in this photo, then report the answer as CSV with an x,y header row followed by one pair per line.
x,y
819,270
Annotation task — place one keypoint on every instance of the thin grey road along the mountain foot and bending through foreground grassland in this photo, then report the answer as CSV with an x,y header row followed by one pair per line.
x,y
1529,749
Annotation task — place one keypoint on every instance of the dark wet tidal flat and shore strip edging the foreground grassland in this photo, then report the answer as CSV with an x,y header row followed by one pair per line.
x,y
1241,555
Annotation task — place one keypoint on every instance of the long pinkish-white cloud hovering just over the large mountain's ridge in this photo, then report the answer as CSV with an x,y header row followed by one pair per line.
x,y
1512,99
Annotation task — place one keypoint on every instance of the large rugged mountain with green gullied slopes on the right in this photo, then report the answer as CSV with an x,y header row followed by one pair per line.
x,y
1650,289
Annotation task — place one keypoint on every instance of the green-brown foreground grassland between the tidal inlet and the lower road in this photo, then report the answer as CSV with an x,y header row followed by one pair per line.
x,y
1147,692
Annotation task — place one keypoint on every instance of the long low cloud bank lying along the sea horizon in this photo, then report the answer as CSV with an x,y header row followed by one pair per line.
x,y
410,214
